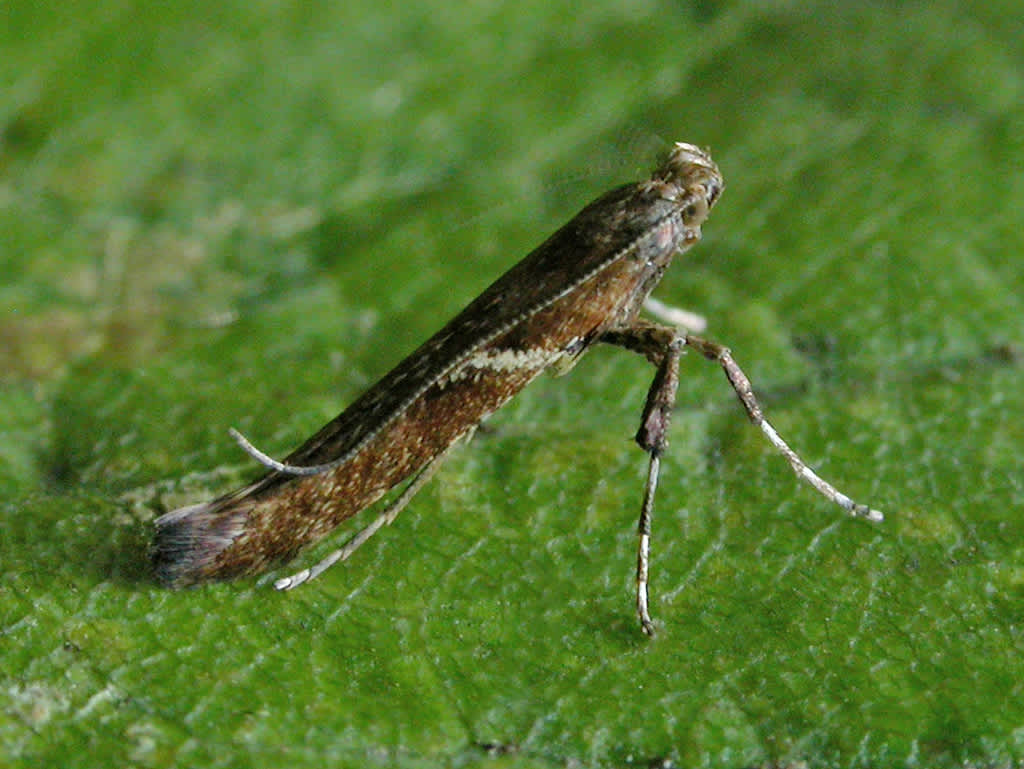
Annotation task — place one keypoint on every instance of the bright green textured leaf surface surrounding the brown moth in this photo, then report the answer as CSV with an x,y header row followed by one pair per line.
x,y
243,215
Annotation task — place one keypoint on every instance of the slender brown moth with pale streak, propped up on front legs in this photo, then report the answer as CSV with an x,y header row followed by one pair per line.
x,y
584,286
